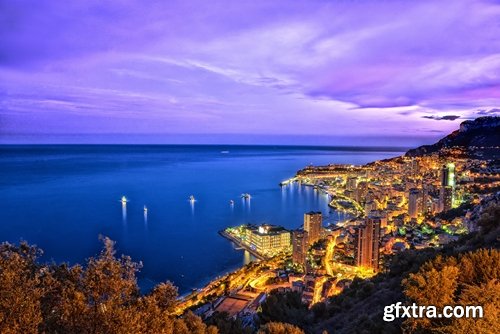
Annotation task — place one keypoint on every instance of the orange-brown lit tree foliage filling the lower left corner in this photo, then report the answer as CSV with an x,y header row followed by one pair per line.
x,y
103,297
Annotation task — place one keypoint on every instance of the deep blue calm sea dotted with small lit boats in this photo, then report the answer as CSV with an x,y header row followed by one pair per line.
x,y
61,198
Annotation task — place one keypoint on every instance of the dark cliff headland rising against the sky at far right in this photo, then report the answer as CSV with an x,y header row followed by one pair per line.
x,y
483,133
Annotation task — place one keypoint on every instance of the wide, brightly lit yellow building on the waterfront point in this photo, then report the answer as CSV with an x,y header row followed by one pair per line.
x,y
267,240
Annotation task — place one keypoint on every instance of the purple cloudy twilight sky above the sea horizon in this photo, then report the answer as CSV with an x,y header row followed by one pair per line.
x,y
287,72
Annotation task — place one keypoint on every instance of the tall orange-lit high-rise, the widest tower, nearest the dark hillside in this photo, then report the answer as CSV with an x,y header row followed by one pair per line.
x,y
367,243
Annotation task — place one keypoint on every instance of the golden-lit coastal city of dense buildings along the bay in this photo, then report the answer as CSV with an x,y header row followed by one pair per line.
x,y
407,202
